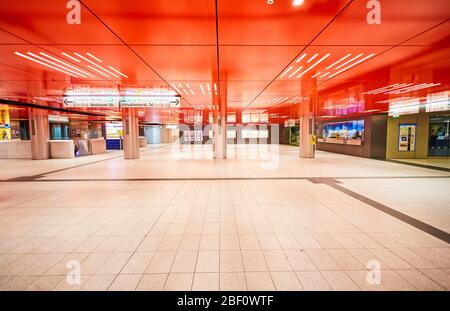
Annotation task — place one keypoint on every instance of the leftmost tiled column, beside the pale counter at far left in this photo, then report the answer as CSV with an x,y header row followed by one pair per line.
x,y
40,134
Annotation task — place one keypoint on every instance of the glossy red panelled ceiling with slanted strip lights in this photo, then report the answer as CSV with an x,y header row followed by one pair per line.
x,y
246,54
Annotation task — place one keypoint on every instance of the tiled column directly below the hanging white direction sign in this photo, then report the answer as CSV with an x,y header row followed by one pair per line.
x,y
130,133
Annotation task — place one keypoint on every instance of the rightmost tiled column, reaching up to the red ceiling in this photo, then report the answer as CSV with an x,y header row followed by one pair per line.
x,y
306,113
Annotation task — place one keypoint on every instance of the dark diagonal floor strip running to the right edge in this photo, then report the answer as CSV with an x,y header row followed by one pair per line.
x,y
437,233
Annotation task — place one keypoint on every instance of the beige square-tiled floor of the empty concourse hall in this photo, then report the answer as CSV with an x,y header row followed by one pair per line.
x,y
218,234
